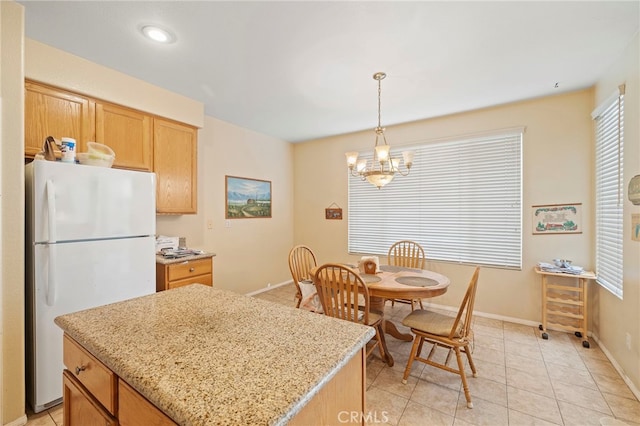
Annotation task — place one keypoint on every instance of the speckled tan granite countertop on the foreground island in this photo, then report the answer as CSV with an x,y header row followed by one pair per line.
x,y
206,356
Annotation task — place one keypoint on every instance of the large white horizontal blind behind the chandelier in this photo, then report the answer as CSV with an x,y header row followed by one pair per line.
x,y
461,202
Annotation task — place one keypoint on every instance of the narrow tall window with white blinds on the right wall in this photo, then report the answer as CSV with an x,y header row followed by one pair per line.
x,y
609,125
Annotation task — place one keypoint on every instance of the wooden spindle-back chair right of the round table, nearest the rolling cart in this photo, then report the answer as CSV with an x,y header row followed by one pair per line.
x,y
452,333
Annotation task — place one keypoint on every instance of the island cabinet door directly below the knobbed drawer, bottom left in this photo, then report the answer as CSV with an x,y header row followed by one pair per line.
x,y
80,407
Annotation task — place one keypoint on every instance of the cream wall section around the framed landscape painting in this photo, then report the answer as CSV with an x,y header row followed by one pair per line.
x,y
250,253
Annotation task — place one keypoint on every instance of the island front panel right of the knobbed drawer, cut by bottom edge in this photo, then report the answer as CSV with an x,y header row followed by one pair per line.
x,y
135,410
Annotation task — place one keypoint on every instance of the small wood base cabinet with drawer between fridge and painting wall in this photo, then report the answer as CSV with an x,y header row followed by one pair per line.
x,y
176,275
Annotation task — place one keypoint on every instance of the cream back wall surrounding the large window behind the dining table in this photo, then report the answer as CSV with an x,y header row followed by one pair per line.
x,y
557,161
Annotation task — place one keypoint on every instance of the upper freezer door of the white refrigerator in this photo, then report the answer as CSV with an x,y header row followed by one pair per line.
x,y
70,202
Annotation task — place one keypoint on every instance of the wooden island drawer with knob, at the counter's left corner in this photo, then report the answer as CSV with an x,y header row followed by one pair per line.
x,y
94,375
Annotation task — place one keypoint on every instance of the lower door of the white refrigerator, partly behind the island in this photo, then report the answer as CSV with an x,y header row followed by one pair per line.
x,y
85,275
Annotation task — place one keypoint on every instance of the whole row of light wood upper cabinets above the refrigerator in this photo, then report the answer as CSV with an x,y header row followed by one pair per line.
x,y
140,140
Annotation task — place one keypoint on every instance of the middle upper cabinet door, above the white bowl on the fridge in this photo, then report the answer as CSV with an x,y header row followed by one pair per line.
x,y
128,133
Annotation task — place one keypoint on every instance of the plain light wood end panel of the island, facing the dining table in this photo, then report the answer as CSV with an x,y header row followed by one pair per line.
x,y
341,401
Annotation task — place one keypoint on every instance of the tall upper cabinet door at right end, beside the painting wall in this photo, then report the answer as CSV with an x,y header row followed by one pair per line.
x,y
175,164
